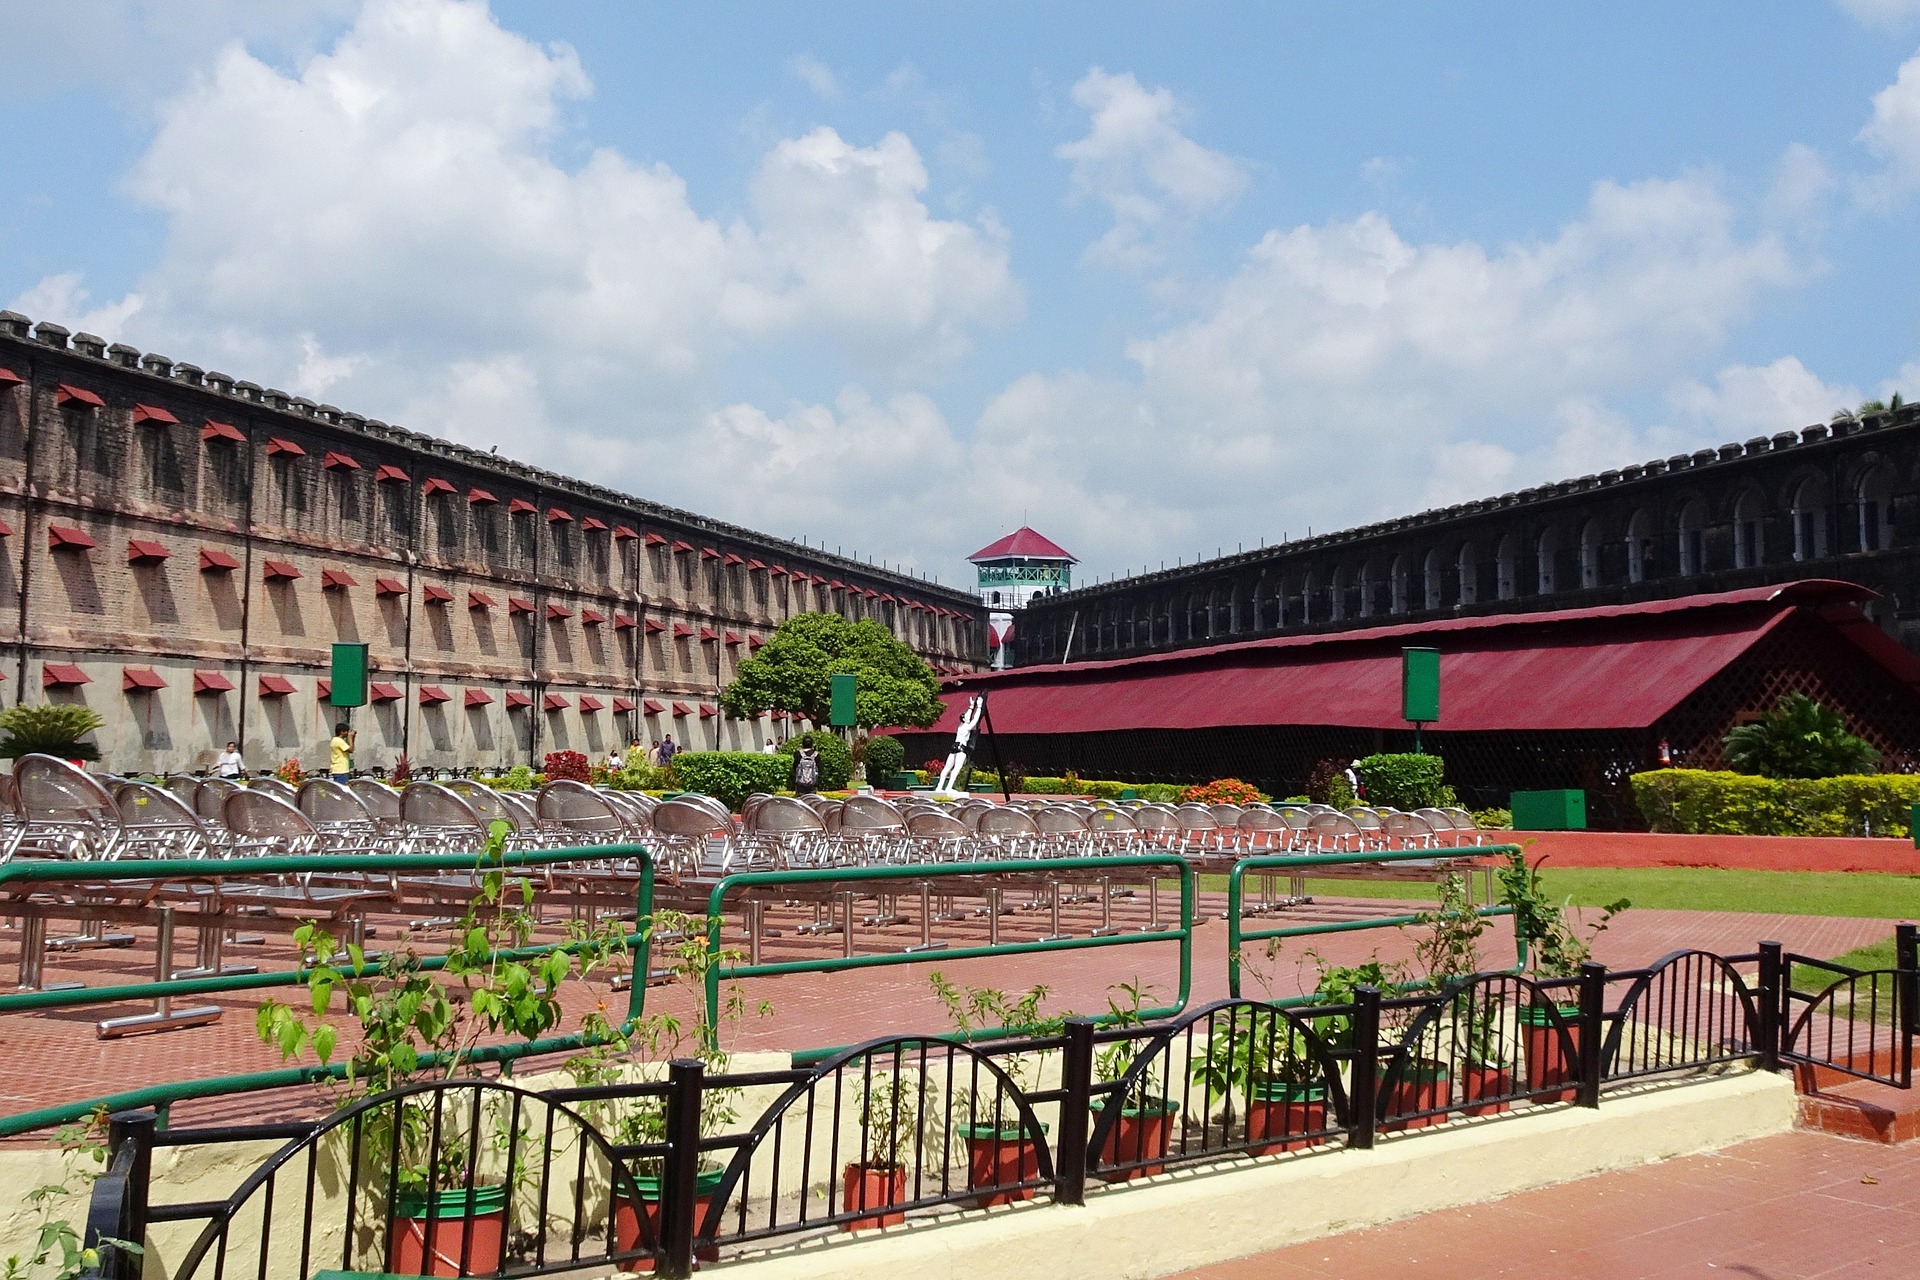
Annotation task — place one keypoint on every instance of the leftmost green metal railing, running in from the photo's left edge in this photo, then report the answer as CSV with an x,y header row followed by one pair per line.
x,y
162,1097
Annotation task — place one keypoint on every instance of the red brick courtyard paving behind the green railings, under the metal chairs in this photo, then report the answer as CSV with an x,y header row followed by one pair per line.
x,y
57,1058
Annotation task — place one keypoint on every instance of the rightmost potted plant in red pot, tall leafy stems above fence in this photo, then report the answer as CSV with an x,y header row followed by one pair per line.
x,y
1554,951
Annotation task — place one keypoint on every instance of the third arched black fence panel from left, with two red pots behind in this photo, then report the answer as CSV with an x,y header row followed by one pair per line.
x,y
1232,1078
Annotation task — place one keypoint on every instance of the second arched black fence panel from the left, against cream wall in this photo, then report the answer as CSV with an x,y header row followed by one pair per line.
x,y
876,1131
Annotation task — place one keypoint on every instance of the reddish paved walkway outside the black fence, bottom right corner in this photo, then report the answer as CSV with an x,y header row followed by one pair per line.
x,y
1788,1208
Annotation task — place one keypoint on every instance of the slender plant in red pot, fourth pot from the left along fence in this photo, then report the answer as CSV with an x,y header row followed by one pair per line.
x,y
999,1149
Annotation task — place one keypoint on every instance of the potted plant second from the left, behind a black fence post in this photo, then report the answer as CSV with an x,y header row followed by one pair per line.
x,y
681,949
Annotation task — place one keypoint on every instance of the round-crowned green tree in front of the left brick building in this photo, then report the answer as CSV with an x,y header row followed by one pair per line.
x,y
796,669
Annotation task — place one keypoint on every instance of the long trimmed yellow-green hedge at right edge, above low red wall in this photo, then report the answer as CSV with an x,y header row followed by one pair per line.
x,y
1708,803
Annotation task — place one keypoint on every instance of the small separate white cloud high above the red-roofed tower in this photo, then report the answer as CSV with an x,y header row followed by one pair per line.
x,y
1143,168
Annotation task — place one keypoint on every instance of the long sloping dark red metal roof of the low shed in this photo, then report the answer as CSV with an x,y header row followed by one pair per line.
x,y
1591,669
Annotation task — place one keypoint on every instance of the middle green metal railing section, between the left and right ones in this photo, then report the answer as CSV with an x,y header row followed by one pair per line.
x,y
949,874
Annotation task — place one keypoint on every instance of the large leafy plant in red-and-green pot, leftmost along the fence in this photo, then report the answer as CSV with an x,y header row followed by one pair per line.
x,y
439,1175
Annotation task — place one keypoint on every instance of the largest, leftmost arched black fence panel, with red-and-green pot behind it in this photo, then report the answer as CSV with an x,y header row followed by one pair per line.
x,y
446,1179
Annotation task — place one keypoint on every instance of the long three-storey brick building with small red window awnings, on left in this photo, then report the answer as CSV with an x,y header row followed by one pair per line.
x,y
181,550
